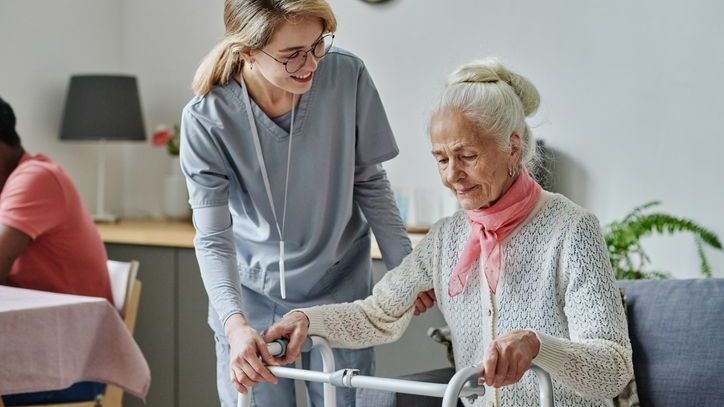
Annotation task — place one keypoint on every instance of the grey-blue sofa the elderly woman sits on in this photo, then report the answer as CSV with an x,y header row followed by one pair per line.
x,y
677,336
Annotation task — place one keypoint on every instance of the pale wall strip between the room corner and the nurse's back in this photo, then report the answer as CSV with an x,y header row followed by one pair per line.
x,y
164,41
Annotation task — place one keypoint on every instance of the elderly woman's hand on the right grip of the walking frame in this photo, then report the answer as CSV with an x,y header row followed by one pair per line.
x,y
509,357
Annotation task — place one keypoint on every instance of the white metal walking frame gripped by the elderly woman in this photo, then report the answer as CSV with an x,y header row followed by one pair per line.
x,y
462,384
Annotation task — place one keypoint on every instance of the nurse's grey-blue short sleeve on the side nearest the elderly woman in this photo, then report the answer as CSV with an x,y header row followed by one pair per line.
x,y
375,140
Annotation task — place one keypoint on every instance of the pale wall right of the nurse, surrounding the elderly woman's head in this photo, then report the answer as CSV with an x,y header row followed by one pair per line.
x,y
631,95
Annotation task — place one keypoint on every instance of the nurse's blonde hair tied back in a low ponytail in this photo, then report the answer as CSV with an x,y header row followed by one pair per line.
x,y
250,25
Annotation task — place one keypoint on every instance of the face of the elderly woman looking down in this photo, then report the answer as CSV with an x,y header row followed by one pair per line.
x,y
471,164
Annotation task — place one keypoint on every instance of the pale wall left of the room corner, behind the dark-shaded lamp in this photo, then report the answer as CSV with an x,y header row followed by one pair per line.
x,y
42,43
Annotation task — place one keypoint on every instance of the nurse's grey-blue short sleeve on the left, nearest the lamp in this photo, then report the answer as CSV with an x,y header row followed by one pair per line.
x,y
202,164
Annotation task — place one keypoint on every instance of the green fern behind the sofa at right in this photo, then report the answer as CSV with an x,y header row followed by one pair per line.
x,y
628,257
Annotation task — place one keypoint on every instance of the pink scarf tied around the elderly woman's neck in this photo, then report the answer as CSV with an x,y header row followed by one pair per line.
x,y
490,226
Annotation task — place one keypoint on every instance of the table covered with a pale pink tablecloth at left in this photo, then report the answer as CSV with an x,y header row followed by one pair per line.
x,y
49,341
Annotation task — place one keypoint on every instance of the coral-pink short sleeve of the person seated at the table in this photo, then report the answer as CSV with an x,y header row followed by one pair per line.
x,y
32,201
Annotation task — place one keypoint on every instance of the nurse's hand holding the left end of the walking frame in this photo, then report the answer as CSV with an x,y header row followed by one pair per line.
x,y
248,355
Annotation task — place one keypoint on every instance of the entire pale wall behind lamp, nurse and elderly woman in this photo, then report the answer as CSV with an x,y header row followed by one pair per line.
x,y
631,91
